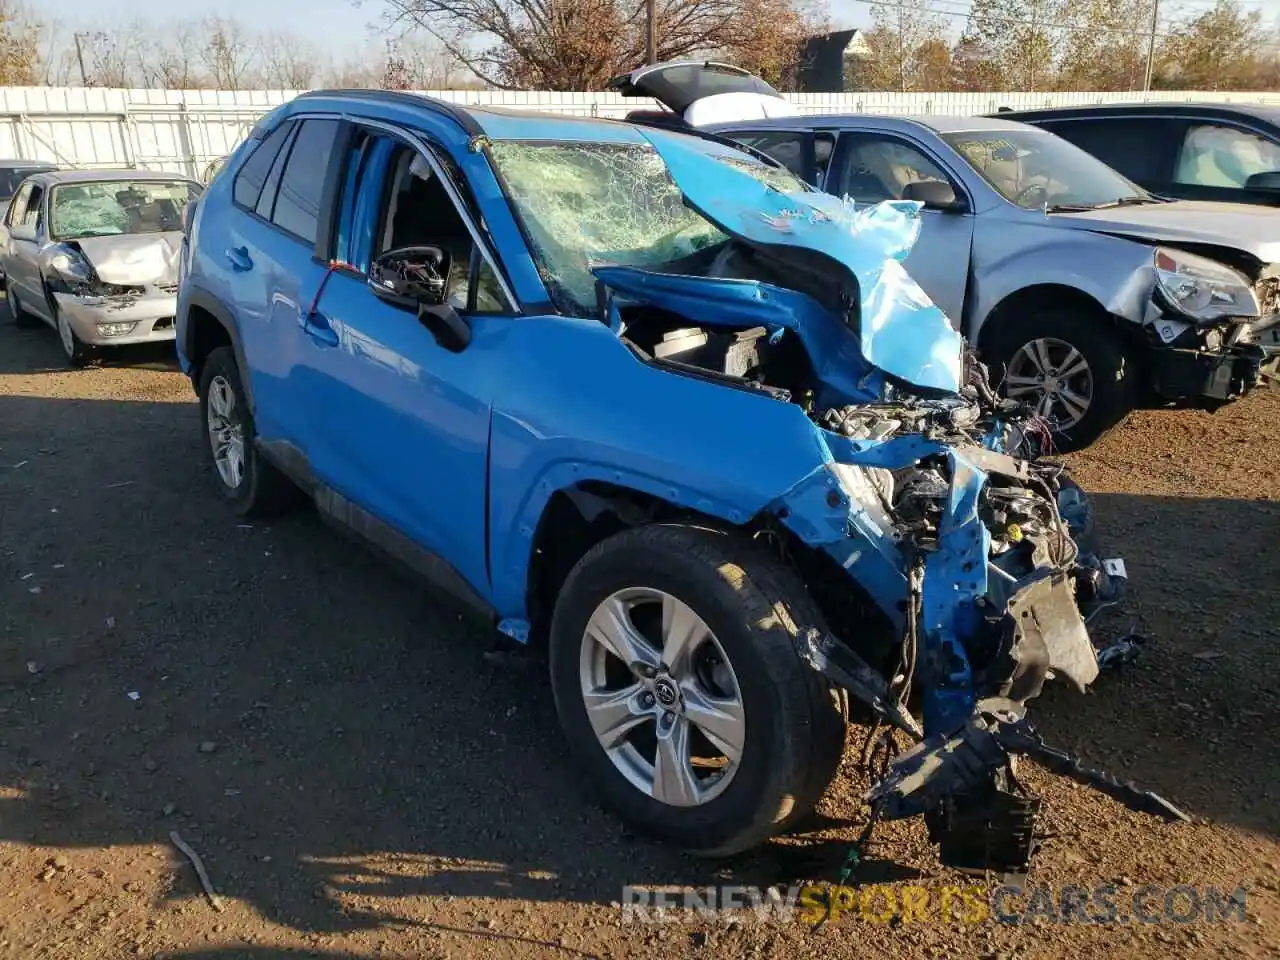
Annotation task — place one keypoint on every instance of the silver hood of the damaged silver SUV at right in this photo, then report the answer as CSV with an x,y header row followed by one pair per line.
x,y
1255,230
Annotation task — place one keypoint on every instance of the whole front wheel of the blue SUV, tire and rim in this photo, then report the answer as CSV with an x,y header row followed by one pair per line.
x,y
680,691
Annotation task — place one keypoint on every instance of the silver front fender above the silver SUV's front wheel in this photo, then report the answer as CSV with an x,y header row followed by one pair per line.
x,y
1117,273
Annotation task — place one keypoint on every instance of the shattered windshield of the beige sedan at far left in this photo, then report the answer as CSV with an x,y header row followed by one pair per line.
x,y
113,208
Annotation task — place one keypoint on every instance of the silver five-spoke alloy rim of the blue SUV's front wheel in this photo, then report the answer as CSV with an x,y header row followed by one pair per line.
x,y
662,697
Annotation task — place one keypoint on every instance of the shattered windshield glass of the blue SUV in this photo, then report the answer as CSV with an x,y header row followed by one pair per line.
x,y
591,204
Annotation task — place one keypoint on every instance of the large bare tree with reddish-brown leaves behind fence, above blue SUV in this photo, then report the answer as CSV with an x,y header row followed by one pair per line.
x,y
580,44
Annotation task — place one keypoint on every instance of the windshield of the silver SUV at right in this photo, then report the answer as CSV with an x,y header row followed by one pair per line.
x,y
1036,170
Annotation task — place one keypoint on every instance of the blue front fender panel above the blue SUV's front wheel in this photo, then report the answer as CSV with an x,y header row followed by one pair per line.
x,y
589,409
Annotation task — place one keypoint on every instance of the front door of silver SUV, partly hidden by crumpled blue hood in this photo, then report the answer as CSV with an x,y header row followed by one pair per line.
x,y
875,167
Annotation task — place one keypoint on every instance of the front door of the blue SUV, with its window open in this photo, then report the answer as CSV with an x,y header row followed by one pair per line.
x,y
400,422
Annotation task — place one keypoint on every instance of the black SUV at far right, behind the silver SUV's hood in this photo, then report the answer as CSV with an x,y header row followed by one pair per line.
x,y
1191,152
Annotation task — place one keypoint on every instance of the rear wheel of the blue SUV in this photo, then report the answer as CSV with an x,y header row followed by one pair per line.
x,y
257,488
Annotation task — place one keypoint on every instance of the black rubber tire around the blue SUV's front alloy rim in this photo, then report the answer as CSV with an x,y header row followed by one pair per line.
x,y
755,609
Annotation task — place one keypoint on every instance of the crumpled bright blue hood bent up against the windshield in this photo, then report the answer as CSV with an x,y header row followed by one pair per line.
x,y
831,248
